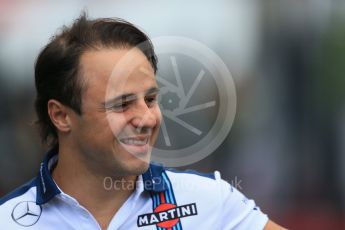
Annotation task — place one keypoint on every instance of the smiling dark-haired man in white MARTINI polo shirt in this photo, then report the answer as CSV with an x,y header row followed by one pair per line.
x,y
97,108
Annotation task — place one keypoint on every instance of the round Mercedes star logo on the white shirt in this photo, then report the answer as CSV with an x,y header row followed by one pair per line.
x,y
26,213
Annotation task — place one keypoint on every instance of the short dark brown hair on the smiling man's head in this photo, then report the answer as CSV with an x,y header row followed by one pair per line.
x,y
57,66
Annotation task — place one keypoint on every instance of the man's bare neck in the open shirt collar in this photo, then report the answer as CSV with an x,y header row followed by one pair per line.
x,y
88,188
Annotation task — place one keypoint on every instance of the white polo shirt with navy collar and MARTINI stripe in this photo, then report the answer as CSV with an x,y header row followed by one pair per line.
x,y
163,199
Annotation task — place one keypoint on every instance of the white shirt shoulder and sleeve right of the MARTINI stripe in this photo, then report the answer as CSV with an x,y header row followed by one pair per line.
x,y
216,200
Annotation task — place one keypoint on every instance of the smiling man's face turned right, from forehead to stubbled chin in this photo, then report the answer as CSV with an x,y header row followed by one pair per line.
x,y
120,115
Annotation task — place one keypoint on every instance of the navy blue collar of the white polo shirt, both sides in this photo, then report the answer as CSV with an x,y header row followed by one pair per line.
x,y
47,189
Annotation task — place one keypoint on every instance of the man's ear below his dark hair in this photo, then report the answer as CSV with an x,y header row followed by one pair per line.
x,y
59,115
